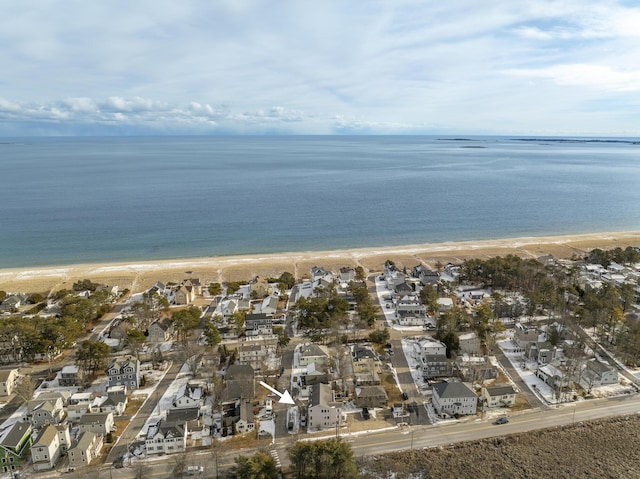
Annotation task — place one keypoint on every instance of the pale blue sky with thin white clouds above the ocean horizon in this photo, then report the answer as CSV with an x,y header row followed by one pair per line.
x,y
168,67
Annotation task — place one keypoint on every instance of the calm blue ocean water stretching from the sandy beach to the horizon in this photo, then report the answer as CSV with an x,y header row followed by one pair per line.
x,y
77,200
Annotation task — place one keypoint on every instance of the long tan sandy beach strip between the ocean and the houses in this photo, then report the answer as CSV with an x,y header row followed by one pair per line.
x,y
138,276
